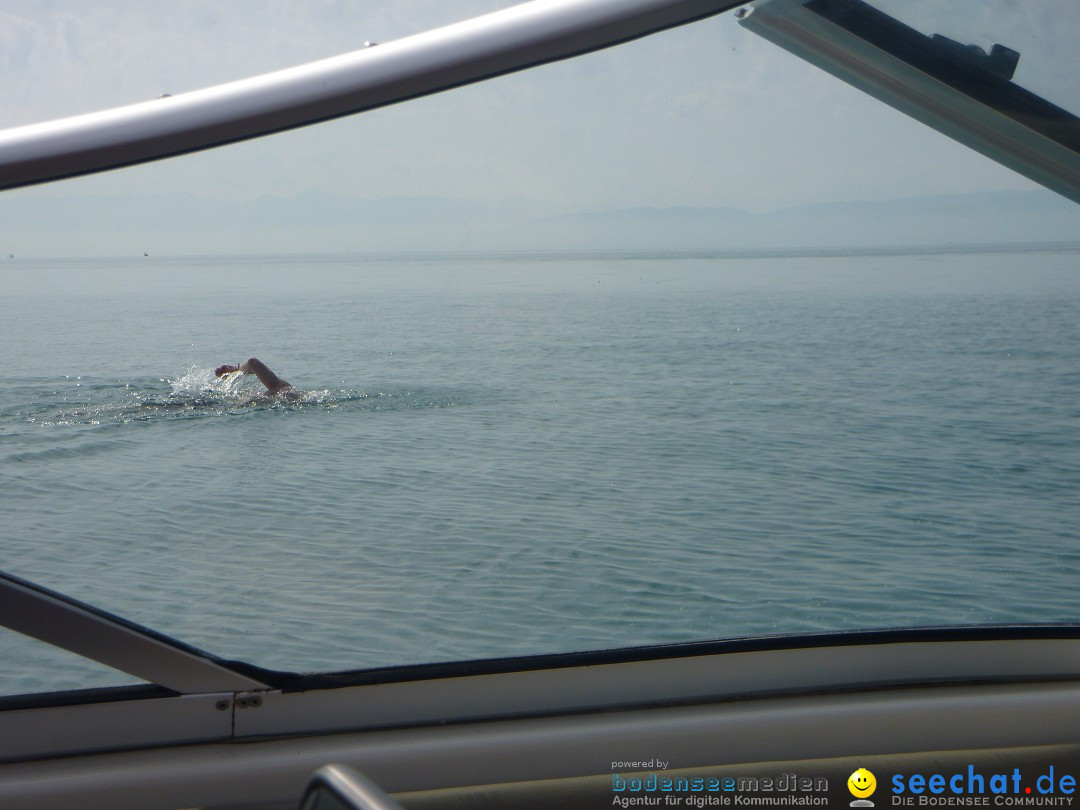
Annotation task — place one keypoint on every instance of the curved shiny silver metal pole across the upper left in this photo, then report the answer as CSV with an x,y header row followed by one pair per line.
x,y
514,39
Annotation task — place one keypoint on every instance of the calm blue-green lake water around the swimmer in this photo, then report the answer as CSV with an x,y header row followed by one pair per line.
x,y
514,454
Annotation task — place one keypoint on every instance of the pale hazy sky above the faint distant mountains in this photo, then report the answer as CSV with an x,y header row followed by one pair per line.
x,y
707,115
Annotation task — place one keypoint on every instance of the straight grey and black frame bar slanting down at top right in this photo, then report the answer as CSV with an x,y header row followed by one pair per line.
x,y
925,78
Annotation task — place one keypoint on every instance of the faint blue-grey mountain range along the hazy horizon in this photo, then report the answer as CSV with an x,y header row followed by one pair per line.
x,y
184,224
